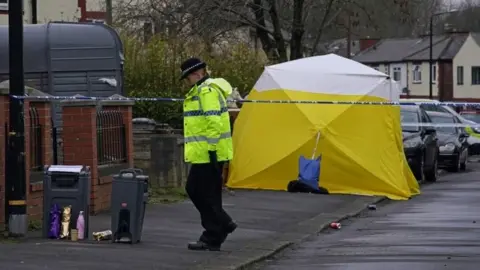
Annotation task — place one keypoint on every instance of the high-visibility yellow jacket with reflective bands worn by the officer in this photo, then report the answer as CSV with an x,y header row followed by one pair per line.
x,y
206,122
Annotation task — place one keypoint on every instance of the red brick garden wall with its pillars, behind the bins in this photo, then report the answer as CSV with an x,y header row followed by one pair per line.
x,y
80,147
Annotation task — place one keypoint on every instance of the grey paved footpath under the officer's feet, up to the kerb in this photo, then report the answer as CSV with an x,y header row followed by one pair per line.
x,y
268,221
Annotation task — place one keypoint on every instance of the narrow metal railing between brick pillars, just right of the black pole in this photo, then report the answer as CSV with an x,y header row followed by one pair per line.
x,y
35,136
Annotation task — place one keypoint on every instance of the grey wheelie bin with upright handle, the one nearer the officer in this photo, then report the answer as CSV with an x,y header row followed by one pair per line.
x,y
129,198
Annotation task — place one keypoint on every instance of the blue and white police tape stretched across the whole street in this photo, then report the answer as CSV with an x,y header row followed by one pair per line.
x,y
325,102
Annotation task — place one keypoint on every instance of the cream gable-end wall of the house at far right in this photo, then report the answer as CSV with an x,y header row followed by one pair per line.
x,y
468,56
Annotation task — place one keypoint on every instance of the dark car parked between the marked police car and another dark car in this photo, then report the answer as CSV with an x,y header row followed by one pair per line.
x,y
452,141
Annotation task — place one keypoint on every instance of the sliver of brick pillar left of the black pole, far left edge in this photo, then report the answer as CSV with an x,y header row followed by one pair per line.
x,y
4,110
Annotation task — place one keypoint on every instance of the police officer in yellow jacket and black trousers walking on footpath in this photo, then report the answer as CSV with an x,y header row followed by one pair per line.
x,y
208,144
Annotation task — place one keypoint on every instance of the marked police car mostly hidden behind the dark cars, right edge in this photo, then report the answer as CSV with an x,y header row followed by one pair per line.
x,y
433,106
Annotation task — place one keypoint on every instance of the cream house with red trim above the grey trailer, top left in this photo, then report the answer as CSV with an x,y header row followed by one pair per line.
x,y
43,11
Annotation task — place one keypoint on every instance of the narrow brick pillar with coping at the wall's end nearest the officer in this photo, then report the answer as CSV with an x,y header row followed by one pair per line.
x,y
126,108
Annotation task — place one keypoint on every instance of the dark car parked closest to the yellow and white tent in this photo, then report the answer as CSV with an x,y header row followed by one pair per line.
x,y
420,143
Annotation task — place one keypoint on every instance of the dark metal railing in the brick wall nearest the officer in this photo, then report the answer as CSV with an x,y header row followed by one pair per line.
x,y
111,138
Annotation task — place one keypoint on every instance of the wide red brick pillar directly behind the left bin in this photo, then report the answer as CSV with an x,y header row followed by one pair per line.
x,y
80,138
